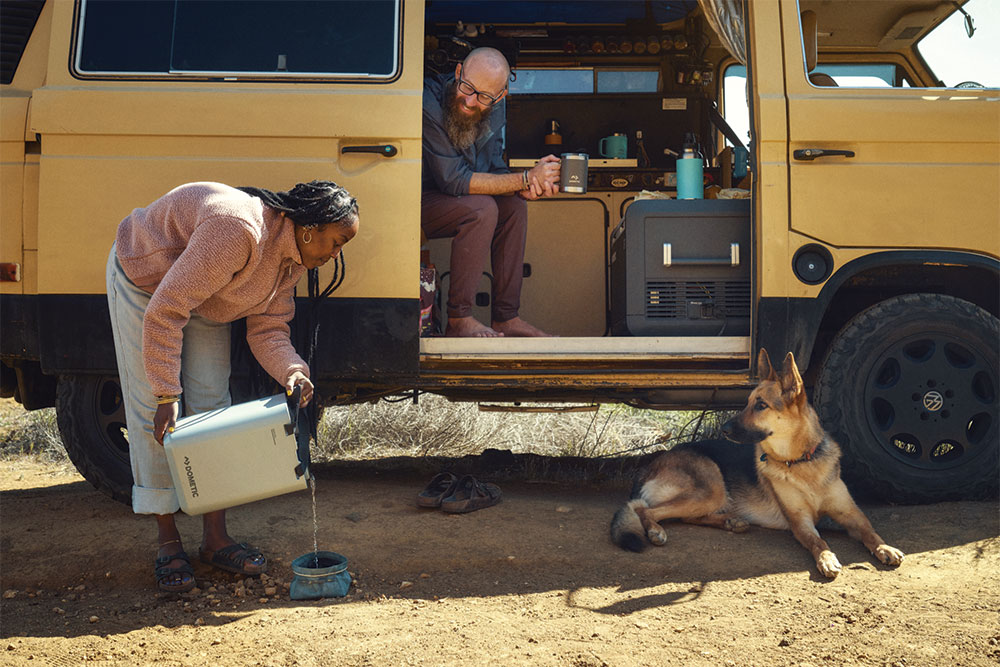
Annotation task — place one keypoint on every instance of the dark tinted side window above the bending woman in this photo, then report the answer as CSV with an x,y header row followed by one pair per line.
x,y
260,39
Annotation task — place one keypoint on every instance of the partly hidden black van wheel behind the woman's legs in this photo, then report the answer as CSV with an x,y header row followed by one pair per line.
x,y
91,417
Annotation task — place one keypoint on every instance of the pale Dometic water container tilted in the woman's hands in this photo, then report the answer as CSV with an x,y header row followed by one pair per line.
x,y
234,455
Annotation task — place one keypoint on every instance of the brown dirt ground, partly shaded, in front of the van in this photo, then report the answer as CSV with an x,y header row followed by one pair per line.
x,y
532,581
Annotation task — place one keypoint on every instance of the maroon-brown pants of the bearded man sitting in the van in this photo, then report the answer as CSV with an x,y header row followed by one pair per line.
x,y
482,226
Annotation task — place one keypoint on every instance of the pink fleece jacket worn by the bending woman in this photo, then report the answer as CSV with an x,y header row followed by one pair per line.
x,y
211,249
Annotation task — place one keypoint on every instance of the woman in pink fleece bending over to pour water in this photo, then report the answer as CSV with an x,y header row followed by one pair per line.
x,y
180,270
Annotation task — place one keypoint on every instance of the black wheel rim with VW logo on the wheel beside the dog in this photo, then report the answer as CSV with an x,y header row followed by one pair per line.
x,y
931,401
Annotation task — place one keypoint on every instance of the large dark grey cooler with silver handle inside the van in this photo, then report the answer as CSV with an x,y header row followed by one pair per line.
x,y
682,268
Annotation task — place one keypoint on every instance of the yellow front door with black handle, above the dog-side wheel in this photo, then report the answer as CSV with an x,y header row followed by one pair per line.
x,y
889,167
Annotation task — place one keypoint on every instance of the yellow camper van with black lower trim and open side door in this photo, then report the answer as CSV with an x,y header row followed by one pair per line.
x,y
850,213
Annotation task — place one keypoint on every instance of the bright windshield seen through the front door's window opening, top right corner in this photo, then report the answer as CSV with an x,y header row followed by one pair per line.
x,y
958,60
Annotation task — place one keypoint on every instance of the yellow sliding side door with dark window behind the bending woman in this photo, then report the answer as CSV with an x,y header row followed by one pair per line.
x,y
141,97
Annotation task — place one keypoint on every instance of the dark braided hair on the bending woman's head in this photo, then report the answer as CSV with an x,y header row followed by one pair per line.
x,y
311,204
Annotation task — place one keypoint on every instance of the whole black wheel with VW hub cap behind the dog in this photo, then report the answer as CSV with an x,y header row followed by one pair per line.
x,y
909,389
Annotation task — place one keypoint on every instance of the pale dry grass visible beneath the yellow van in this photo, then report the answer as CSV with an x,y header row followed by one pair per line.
x,y
433,427
